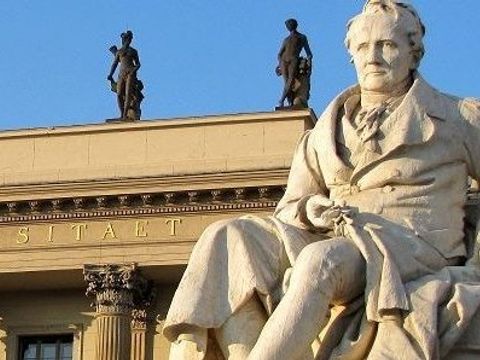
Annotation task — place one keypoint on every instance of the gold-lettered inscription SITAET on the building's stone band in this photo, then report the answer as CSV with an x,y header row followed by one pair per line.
x,y
93,232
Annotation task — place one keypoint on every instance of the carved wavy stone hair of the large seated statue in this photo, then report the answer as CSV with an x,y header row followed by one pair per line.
x,y
415,30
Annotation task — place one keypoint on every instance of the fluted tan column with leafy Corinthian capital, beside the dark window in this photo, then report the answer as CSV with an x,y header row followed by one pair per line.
x,y
114,287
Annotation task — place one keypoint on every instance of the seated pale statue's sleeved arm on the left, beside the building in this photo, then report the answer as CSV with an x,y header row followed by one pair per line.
x,y
306,191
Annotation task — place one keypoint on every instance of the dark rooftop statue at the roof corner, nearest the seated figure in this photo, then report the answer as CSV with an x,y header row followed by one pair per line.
x,y
295,69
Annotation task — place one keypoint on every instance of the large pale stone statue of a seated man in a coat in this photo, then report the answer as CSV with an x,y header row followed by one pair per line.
x,y
365,255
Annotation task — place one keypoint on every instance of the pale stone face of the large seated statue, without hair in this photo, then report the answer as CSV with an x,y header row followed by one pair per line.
x,y
381,52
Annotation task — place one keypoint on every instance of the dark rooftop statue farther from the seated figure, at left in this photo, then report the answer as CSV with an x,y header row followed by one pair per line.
x,y
128,87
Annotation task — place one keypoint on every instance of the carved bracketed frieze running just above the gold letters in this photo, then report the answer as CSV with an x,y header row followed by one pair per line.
x,y
139,204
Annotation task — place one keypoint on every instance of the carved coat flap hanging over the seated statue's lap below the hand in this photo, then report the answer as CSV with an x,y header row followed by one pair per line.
x,y
394,255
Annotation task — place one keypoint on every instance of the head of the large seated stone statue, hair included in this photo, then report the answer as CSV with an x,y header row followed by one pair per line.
x,y
386,44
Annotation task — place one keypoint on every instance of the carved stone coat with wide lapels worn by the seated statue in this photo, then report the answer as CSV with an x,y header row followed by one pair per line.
x,y
409,197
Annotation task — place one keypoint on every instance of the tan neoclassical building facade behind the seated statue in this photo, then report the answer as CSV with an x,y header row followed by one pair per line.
x,y
97,223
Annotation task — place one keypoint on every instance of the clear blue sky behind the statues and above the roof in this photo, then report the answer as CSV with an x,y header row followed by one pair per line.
x,y
198,57
